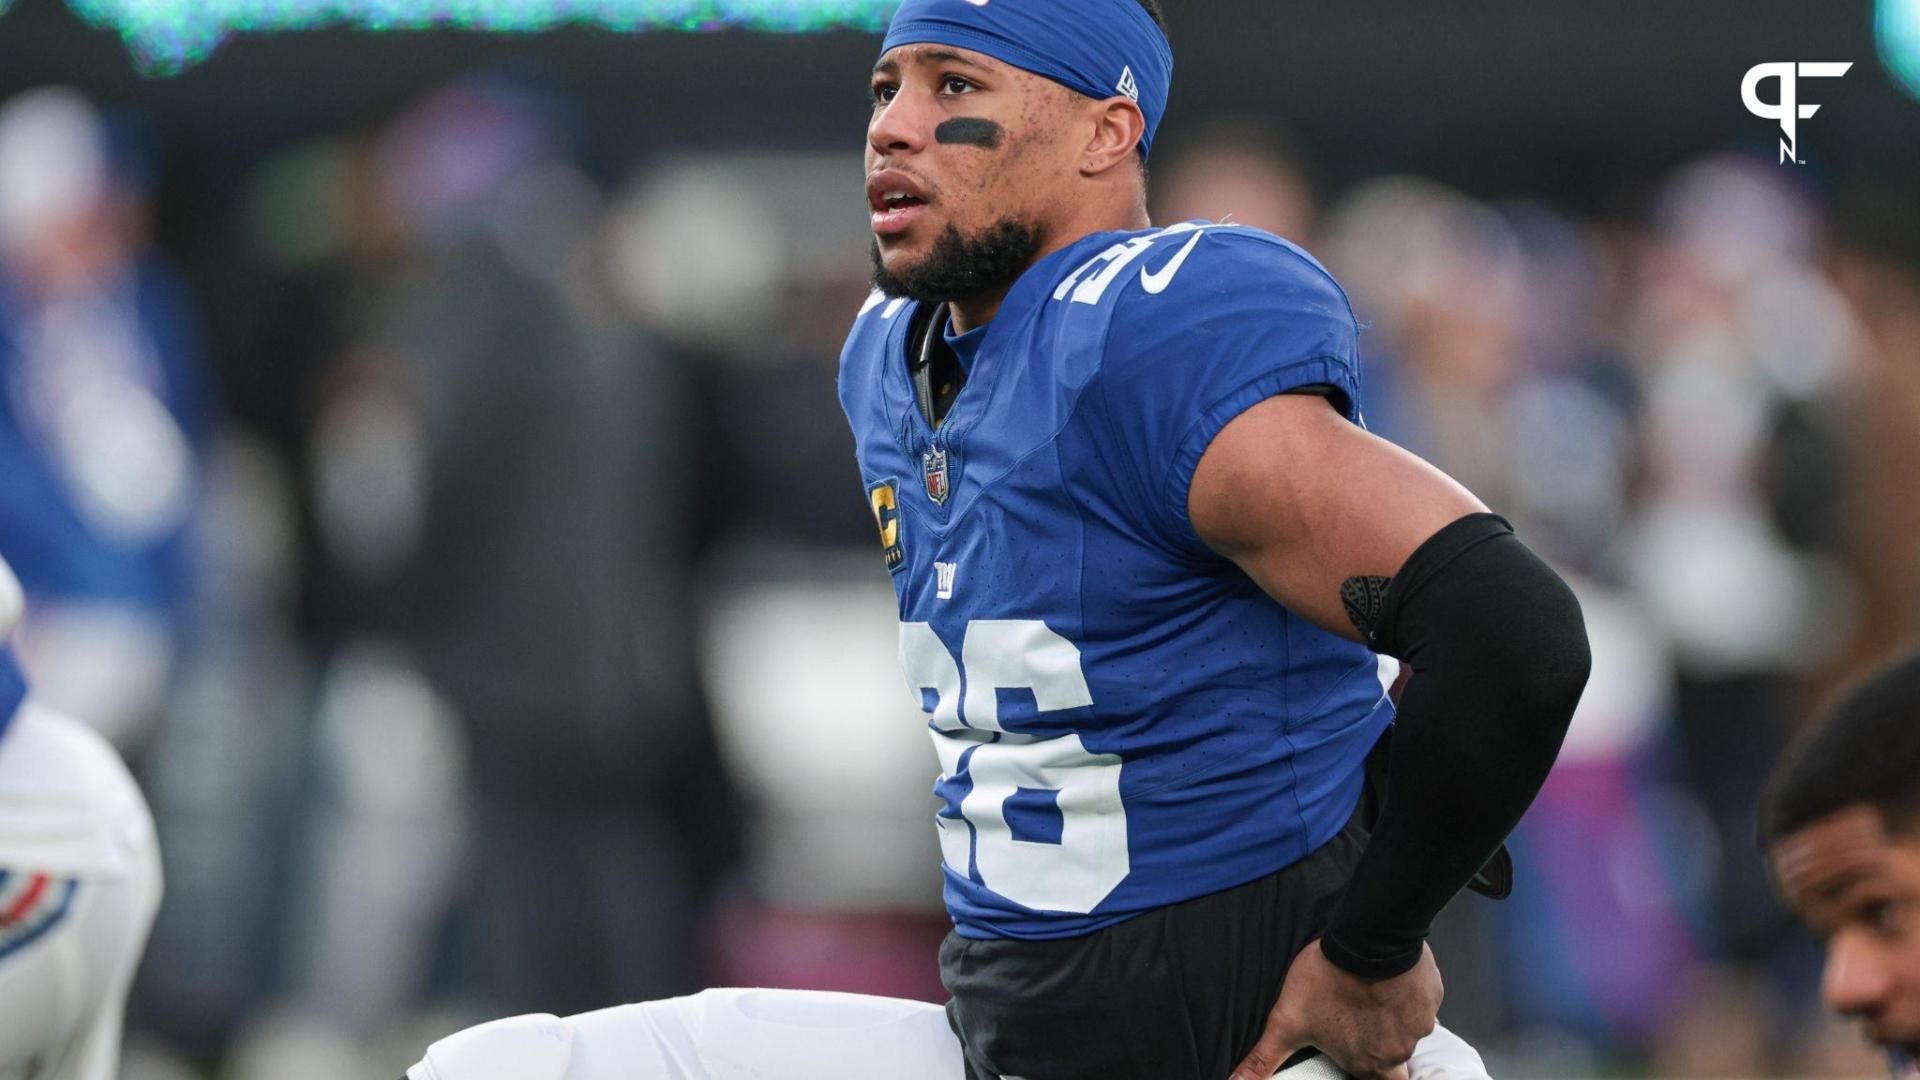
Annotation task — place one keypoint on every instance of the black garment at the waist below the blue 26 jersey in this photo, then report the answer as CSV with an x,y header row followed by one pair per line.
x,y
1176,994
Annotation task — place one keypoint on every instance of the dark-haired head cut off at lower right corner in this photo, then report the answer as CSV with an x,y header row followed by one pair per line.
x,y
1842,833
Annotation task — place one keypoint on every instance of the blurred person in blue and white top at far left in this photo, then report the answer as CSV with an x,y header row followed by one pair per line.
x,y
105,418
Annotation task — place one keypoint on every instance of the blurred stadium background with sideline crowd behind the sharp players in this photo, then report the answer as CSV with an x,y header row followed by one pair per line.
x,y
423,456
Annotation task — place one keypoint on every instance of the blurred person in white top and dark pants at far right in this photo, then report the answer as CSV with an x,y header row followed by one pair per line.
x,y
1744,353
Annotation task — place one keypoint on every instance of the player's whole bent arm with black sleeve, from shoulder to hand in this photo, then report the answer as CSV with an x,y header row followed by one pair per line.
x,y
1380,547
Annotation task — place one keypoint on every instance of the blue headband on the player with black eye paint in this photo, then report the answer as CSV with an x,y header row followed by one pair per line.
x,y
1101,49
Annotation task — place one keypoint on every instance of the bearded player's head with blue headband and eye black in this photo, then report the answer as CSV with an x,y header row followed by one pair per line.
x,y
1005,130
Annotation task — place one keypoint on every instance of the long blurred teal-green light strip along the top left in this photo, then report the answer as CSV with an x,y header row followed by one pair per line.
x,y
172,36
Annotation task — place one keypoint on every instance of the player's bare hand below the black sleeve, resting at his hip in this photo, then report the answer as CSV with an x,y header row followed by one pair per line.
x,y
1366,1027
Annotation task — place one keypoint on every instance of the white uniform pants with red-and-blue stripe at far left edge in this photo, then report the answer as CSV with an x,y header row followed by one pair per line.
x,y
80,885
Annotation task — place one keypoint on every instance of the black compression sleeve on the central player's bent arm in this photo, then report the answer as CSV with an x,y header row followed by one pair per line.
x,y
1499,656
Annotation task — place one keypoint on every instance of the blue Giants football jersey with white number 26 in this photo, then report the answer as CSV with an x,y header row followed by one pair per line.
x,y
1124,720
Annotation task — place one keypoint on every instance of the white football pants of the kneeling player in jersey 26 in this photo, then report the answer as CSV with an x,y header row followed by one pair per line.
x,y
761,1035
